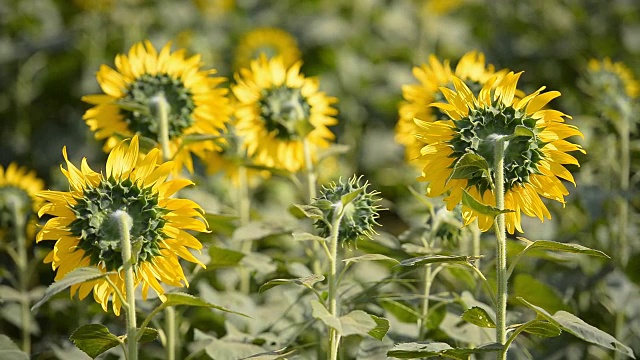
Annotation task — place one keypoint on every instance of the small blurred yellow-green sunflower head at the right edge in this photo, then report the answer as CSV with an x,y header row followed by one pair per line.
x,y
613,78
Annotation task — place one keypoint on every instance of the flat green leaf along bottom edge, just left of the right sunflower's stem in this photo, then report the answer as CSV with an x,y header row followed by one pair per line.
x,y
415,350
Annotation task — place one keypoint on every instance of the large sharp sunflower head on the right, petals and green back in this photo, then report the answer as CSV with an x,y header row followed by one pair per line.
x,y
533,165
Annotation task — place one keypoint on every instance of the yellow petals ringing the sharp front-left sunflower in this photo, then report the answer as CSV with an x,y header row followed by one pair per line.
x,y
143,174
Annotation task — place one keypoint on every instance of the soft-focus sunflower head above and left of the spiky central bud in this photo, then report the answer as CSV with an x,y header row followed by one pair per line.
x,y
278,110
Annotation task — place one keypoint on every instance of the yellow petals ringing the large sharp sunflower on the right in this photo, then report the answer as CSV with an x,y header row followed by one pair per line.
x,y
438,154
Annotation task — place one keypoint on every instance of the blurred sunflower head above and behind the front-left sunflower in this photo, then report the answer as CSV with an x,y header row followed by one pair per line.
x,y
197,106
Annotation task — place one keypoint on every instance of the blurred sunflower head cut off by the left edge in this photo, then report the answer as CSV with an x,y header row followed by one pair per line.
x,y
18,188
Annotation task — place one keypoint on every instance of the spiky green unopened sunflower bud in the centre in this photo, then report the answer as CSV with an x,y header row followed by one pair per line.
x,y
360,212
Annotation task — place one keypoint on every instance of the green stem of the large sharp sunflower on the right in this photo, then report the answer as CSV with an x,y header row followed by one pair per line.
x,y
501,249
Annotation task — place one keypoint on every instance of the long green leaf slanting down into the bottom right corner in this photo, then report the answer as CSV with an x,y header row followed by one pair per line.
x,y
576,326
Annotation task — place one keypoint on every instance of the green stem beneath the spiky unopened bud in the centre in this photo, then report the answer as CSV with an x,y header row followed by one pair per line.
x,y
334,336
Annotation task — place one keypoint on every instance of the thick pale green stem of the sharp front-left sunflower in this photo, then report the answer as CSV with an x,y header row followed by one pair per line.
x,y
125,223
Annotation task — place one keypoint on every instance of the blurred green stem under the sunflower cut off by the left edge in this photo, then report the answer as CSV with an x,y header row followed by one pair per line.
x,y
23,275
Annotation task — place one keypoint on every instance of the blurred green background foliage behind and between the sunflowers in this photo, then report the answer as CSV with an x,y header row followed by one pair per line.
x,y
363,51
